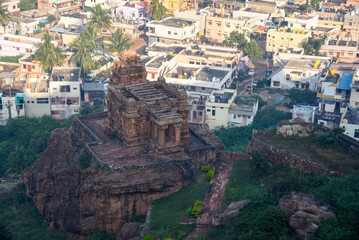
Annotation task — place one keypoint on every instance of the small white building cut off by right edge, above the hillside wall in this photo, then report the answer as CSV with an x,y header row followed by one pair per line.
x,y
350,123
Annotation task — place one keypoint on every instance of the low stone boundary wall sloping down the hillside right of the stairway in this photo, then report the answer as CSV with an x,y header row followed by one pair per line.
x,y
285,157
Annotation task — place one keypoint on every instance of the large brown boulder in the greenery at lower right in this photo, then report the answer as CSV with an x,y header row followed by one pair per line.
x,y
304,212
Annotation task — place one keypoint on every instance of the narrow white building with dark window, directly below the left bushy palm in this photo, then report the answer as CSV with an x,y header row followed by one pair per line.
x,y
65,91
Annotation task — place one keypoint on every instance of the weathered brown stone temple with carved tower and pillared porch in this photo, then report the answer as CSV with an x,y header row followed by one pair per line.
x,y
143,113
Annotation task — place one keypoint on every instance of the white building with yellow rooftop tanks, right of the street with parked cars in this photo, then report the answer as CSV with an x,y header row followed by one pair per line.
x,y
302,73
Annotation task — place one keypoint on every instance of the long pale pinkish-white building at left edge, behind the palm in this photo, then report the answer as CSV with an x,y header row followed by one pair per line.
x,y
14,45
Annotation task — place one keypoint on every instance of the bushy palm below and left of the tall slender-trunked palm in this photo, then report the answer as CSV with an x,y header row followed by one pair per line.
x,y
84,48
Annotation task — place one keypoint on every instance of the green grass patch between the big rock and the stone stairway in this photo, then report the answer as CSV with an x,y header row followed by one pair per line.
x,y
168,212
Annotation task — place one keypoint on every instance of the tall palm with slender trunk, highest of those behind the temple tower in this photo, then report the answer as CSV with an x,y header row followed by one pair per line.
x,y
100,19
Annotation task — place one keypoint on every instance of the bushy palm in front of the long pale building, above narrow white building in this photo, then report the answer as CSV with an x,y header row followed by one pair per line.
x,y
49,55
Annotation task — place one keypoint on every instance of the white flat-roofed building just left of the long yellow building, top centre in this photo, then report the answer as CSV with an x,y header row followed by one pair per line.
x,y
172,30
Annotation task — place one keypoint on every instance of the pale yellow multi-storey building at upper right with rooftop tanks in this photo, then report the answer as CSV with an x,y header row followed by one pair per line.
x,y
283,37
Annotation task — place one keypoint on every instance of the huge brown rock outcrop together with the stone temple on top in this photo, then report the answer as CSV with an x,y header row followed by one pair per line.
x,y
135,155
